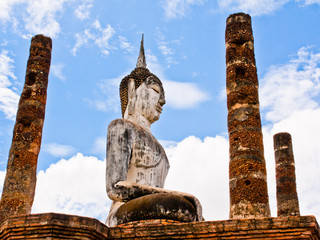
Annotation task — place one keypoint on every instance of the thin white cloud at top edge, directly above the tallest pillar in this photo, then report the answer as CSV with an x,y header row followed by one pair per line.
x,y
253,7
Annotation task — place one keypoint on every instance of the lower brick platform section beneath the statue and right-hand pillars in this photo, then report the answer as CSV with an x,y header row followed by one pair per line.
x,y
285,228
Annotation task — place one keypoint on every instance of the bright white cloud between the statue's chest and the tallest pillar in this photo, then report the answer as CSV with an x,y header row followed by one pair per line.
x,y
201,168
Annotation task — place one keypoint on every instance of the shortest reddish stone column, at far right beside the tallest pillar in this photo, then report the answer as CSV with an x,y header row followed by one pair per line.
x,y
287,197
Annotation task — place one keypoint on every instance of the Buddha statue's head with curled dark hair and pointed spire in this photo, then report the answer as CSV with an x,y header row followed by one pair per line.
x,y
142,92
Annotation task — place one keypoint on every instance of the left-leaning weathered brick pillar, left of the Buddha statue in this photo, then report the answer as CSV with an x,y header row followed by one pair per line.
x,y
20,181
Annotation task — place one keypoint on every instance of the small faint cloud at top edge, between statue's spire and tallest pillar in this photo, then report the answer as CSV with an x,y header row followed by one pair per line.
x,y
178,8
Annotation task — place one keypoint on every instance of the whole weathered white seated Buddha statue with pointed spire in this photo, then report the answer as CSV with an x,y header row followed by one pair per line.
x,y
137,164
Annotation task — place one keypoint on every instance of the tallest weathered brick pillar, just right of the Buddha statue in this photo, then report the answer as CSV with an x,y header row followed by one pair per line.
x,y
247,168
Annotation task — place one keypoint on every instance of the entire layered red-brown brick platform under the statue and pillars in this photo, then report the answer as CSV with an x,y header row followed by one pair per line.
x,y
62,226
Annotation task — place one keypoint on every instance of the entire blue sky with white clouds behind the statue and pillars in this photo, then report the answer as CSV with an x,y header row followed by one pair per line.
x,y
96,44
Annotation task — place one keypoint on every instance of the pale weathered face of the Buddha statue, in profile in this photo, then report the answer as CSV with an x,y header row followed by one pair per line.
x,y
150,99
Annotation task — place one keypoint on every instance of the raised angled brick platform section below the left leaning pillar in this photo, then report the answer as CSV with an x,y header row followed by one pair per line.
x,y
53,226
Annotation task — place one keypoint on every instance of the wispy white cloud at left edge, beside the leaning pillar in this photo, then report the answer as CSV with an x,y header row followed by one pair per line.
x,y
8,98
